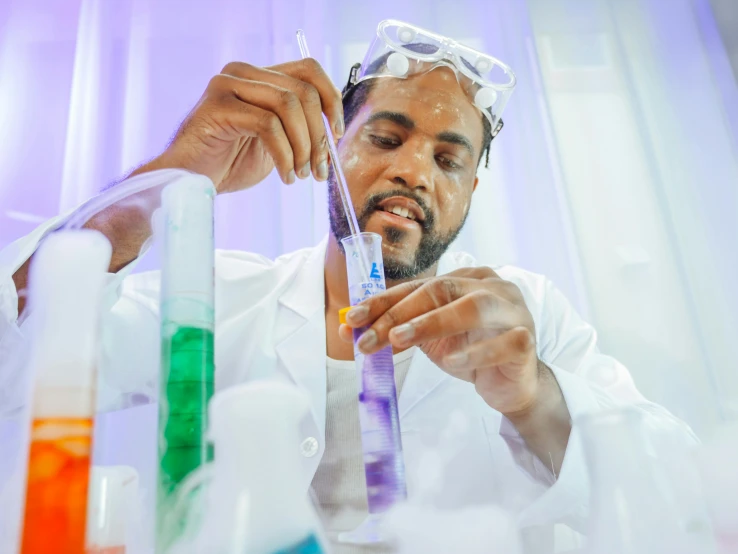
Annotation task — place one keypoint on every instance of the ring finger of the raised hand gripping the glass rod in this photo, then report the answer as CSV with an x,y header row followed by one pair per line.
x,y
280,99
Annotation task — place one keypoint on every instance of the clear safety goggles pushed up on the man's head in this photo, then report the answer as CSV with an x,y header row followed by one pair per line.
x,y
401,50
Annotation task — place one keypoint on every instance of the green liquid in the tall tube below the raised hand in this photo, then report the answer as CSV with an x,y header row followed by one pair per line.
x,y
187,381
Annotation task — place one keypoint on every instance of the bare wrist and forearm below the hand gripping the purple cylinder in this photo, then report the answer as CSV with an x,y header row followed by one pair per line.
x,y
546,426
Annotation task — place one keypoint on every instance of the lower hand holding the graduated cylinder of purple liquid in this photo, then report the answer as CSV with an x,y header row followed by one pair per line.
x,y
471,323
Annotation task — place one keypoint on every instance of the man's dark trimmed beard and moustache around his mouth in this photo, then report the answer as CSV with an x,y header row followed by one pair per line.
x,y
432,243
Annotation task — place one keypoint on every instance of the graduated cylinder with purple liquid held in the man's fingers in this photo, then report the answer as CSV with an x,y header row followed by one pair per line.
x,y
378,413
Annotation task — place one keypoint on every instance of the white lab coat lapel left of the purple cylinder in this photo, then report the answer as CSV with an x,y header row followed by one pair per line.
x,y
302,351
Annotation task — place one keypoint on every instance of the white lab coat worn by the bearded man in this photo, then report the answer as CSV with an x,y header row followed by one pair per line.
x,y
270,322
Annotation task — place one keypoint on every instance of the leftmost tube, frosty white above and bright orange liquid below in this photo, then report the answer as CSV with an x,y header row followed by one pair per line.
x,y
67,279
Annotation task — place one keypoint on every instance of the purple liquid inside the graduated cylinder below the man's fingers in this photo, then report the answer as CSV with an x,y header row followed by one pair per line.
x,y
380,429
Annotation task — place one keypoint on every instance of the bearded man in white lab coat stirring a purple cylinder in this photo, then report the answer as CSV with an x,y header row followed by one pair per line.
x,y
491,365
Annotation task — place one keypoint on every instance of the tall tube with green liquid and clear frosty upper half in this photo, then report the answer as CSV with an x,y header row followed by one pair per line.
x,y
187,341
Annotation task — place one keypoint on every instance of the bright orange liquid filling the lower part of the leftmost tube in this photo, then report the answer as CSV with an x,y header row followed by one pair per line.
x,y
57,483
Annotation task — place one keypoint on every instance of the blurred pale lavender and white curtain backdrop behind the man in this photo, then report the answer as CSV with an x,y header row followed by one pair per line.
x,y
616,174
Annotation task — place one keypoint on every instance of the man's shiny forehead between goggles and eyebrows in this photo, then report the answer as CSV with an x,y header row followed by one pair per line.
x,y
434,100
